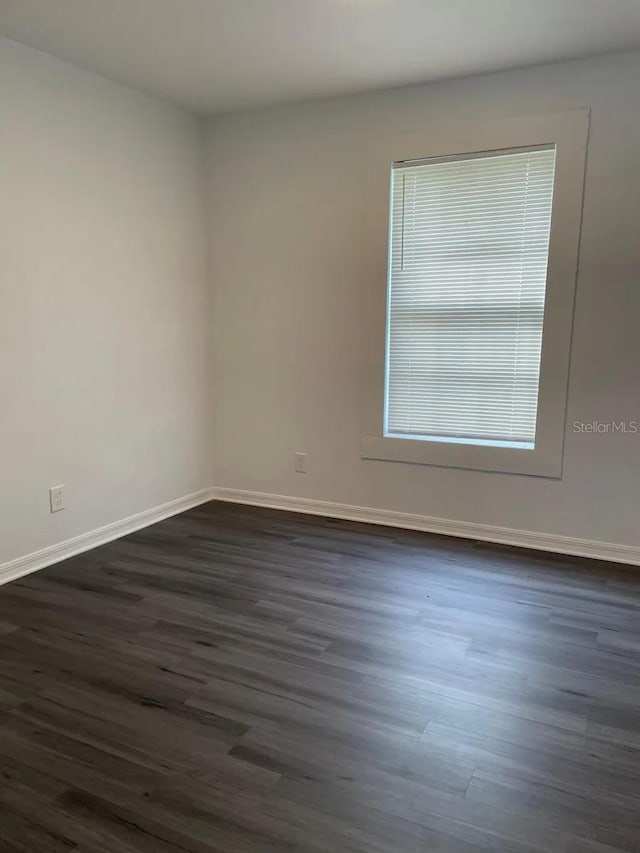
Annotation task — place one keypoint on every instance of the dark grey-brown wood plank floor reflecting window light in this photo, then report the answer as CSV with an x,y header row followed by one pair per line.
x,y
240,680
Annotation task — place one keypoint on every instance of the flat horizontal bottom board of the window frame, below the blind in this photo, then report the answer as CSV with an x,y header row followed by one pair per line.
x,y
507,460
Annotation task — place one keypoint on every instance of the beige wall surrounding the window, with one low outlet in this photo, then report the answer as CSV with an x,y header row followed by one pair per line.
x,y
287,240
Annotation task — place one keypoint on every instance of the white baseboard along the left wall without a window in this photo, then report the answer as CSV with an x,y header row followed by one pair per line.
x,y
101,535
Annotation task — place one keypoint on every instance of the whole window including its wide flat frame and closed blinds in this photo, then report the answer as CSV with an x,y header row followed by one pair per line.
x,y
470,360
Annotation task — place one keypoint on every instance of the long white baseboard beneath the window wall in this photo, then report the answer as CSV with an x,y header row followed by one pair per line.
x,y
483,532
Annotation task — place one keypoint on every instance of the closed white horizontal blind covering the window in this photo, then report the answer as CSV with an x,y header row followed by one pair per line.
x,y
469,245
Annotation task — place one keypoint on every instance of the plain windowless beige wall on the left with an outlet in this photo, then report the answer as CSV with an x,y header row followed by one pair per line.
x,y
103,302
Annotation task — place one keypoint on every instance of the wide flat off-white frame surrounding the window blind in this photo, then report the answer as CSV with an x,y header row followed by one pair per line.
x,y
568,131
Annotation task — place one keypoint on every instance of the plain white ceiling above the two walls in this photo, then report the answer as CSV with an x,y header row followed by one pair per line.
x,y
217,55
